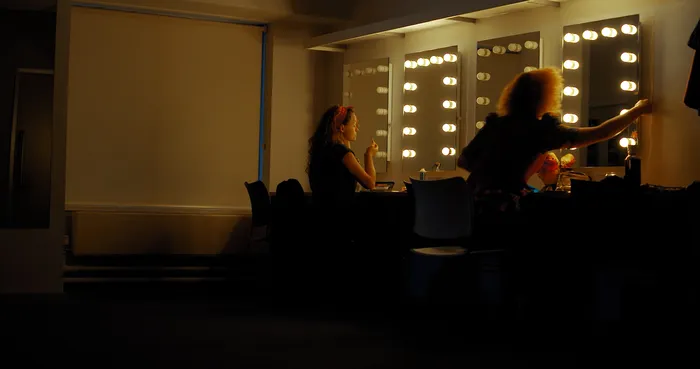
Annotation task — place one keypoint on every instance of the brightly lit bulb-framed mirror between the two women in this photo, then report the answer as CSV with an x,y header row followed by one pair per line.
x,y
431,110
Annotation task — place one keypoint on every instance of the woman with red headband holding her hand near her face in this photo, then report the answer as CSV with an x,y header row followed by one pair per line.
x,y
333,168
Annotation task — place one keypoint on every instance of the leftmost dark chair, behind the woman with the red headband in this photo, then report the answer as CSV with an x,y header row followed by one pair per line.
x,y
262,213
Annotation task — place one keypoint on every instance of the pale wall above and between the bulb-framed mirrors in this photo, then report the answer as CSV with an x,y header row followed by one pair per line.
x,y
667,145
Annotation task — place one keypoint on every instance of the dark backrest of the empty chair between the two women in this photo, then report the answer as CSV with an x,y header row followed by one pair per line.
x,y
444,208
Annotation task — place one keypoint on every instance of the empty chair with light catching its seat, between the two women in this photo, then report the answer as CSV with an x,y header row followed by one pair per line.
x,y
443,220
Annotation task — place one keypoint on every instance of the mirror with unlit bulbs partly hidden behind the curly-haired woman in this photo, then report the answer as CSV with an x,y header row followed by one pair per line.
x,y
498,61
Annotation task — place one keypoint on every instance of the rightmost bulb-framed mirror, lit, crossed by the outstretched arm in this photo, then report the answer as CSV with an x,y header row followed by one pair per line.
x,y
602,76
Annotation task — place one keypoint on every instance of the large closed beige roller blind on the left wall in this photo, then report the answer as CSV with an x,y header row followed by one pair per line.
x,y
162,111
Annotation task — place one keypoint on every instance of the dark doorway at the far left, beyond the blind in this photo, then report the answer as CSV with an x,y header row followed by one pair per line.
x,y
26,113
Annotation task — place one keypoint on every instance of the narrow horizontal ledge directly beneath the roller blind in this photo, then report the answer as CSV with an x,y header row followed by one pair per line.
x,y
158,209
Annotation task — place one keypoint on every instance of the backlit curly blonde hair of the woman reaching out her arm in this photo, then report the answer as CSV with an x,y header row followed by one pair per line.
x,y
533,94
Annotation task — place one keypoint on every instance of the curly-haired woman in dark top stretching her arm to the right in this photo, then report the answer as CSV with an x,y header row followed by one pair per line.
x,y
513,144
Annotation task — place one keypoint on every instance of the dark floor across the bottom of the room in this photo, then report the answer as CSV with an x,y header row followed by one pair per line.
x,y
160,327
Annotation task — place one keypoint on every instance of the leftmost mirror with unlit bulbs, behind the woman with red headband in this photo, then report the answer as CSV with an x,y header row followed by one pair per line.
x,y
367,87
